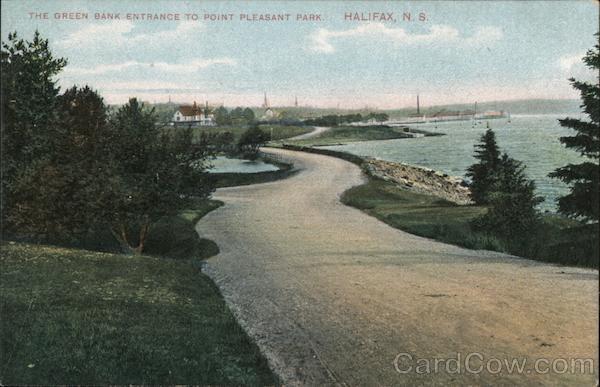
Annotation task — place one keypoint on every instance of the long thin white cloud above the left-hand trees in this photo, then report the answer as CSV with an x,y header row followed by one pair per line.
x,y
188,67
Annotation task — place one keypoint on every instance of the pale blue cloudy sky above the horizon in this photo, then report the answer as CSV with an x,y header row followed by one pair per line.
x,y
464,51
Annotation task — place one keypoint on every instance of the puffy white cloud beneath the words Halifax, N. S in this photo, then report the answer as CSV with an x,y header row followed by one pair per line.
x,y
321,39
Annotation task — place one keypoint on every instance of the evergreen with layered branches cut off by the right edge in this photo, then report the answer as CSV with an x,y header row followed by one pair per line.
x,y
583,200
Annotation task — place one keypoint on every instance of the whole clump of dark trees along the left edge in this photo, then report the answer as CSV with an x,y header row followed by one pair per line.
x,y
66,167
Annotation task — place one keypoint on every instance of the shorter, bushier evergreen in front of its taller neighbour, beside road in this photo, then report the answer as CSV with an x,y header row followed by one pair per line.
x,y
512,215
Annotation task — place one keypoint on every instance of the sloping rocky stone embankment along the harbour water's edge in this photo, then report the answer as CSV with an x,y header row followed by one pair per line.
x,y
420,179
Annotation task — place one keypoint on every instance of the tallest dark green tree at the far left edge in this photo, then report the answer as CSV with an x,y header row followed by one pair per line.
x,y
29,95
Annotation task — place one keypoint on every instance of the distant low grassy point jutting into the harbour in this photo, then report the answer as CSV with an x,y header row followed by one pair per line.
x,y
346,134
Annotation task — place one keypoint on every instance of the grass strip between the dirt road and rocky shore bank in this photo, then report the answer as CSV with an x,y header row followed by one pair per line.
x,y
557,239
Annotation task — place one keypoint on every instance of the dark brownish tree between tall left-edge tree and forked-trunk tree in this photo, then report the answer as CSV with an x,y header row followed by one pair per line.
x,y
62,194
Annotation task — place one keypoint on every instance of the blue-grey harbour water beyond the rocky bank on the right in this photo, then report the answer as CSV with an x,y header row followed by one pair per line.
x,y
532,139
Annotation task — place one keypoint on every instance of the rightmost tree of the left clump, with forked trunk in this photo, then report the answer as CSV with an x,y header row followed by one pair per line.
x,y
157,174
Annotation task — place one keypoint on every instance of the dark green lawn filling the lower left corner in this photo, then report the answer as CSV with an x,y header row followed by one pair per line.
x,y
79,317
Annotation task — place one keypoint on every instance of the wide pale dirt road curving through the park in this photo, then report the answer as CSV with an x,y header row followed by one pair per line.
x,y
333,296
